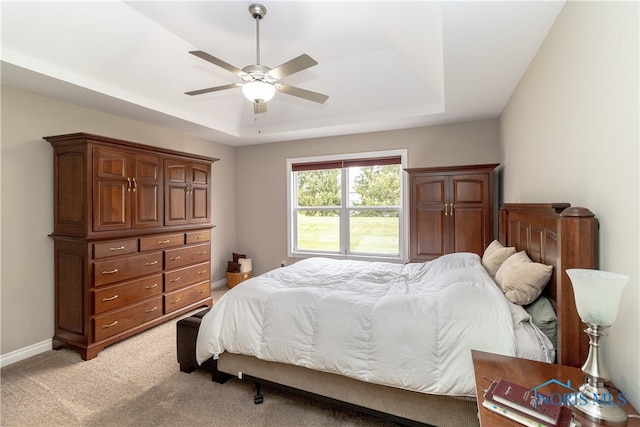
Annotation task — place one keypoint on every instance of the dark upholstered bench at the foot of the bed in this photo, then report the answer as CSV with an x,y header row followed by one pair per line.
x,y
187,333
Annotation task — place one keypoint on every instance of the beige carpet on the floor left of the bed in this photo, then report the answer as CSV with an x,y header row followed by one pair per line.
x,y
138,383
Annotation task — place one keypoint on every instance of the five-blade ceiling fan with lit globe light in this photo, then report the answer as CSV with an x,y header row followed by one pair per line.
x,y
260,82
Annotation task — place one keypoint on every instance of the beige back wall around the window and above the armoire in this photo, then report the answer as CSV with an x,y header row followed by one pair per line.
x,y
262,186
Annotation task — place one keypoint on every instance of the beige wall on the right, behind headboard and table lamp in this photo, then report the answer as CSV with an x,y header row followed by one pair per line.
x,y
570,133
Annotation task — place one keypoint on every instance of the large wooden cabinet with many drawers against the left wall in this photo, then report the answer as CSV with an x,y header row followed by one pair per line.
x,y
132,238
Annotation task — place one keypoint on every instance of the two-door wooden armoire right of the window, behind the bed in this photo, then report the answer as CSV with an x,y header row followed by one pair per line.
x,y
451,210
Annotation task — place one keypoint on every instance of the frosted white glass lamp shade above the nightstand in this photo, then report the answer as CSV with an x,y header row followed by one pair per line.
x,y
597,294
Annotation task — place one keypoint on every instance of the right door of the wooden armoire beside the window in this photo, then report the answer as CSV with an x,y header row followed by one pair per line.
x,y
470,213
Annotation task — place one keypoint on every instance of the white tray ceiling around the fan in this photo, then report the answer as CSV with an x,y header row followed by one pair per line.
x,y
384,64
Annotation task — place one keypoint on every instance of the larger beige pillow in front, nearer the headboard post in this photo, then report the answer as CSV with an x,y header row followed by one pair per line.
x,y
521,279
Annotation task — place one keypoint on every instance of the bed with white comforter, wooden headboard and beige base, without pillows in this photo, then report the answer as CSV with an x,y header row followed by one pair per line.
x,y
381,377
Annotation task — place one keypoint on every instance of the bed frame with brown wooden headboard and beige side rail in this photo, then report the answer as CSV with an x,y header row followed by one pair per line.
x,y
555,234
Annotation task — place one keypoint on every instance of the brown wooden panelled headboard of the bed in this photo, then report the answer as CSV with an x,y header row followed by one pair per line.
x,y
564,237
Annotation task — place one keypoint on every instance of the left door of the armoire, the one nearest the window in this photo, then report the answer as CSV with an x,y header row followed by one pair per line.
x,y
429,231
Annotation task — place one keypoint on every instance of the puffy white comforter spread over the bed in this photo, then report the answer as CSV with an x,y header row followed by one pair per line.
x,y
410,326
